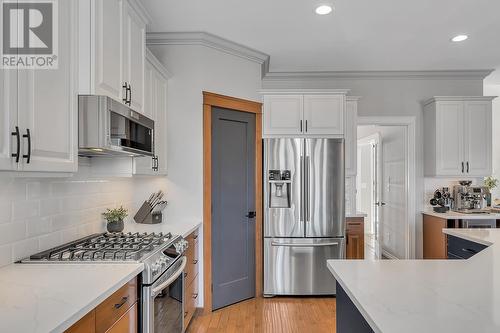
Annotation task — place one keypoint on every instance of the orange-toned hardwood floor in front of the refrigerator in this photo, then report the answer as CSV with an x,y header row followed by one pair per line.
x,y
270,315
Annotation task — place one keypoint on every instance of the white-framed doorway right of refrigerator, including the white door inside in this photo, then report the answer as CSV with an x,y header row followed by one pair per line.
x,y
385,175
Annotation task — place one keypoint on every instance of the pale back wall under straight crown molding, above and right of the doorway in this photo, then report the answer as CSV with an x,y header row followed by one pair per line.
x,y
394,97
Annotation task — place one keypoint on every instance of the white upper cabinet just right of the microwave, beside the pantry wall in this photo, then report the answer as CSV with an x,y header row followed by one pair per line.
x,y
155,106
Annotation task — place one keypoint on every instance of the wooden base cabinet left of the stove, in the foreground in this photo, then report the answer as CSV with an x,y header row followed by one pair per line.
x,y
117,314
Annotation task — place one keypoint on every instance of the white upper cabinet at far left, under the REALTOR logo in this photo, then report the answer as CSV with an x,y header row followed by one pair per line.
x,y
40,121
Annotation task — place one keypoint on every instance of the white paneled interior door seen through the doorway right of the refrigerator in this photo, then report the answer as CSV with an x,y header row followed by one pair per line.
x,y
392,206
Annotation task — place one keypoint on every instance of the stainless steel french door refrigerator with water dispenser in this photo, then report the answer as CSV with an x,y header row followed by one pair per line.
x,y
304,218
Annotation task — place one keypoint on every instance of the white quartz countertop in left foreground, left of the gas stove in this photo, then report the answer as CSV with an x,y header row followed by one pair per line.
x,y
52,297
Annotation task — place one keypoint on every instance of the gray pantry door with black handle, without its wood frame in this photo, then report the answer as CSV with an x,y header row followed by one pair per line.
x,y
233,202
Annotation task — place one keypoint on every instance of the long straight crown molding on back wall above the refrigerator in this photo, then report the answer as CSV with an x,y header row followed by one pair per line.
x,y
479,74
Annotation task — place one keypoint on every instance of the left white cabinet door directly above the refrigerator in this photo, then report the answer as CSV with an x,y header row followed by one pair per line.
x,y
283,114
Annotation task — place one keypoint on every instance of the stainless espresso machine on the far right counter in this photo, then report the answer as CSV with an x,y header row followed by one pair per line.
x,y
470,199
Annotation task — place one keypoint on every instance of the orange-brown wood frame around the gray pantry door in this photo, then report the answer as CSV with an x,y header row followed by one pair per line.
x,y
211,100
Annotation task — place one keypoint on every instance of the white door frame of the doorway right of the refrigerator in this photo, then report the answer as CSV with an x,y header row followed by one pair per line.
x,y
411,195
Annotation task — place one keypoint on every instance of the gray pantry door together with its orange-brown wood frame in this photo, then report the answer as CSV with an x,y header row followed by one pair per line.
x,y
232,200
